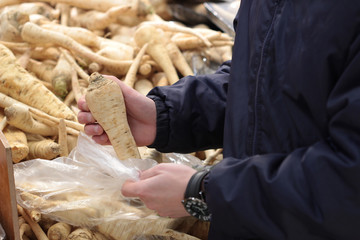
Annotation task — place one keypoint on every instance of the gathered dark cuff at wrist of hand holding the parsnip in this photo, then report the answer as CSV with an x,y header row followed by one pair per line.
x,y
162,123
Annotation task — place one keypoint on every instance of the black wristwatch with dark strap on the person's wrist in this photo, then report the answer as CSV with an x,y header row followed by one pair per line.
x,y
194,197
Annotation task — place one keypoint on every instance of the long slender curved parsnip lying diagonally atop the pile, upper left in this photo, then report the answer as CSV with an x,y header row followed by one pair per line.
x,y
33,33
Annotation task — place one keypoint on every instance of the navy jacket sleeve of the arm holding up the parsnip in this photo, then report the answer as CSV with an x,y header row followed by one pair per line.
x,y
190,113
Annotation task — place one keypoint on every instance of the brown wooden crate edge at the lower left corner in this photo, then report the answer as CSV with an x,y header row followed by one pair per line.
x,y
8,210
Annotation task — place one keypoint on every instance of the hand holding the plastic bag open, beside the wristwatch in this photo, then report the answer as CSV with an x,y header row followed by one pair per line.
x,y
162,188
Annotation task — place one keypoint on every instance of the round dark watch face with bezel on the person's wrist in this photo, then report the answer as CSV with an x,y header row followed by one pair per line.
x,y
197,208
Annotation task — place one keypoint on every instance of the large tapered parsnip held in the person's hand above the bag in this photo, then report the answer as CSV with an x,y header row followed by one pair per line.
x,y
105,100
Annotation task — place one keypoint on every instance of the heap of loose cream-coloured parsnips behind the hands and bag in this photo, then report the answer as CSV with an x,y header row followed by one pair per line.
x,y
48,50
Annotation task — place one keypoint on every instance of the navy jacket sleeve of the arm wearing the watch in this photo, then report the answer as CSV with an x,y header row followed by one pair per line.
x,y
311,193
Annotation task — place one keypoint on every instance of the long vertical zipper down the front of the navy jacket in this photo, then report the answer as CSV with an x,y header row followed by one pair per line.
x,y
256,97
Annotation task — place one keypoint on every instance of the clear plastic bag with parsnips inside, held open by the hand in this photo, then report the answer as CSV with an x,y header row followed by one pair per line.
x,y
84,189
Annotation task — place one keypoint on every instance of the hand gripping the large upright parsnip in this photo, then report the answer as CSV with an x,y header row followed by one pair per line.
x,y
141,115
